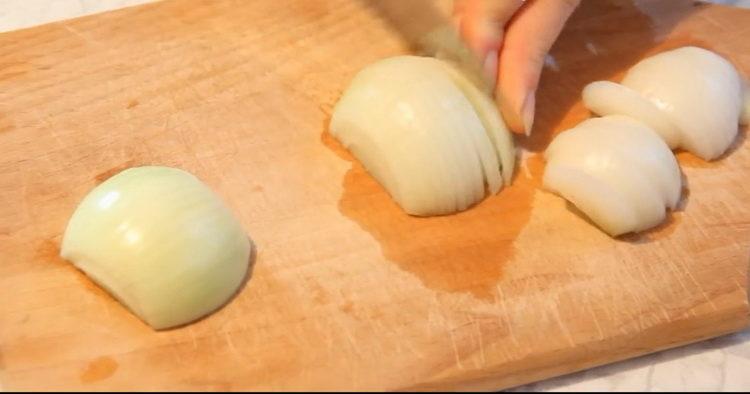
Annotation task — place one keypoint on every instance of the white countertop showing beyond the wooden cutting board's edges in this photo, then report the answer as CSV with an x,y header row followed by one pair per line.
x,y
721,364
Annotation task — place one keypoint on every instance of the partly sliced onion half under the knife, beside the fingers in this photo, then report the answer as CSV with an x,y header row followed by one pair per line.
x,y
425,133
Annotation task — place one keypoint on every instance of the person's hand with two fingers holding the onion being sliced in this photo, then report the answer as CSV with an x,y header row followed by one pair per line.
x,y
513,37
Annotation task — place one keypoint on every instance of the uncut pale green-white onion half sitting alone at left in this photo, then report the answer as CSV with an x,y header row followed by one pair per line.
x,y
161,242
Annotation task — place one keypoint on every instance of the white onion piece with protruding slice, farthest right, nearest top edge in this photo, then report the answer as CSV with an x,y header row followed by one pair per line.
x,y
692,97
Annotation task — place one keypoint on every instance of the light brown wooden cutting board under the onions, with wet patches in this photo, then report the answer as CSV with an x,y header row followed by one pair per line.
x,y
347,292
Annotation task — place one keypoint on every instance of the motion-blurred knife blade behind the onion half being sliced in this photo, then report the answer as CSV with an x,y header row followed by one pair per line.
x,y
431,33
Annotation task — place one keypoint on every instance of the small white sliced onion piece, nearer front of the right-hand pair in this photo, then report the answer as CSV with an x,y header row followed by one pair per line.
x,y
615,170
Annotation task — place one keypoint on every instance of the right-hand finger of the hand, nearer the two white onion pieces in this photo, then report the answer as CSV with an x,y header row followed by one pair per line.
x,y
528,38
